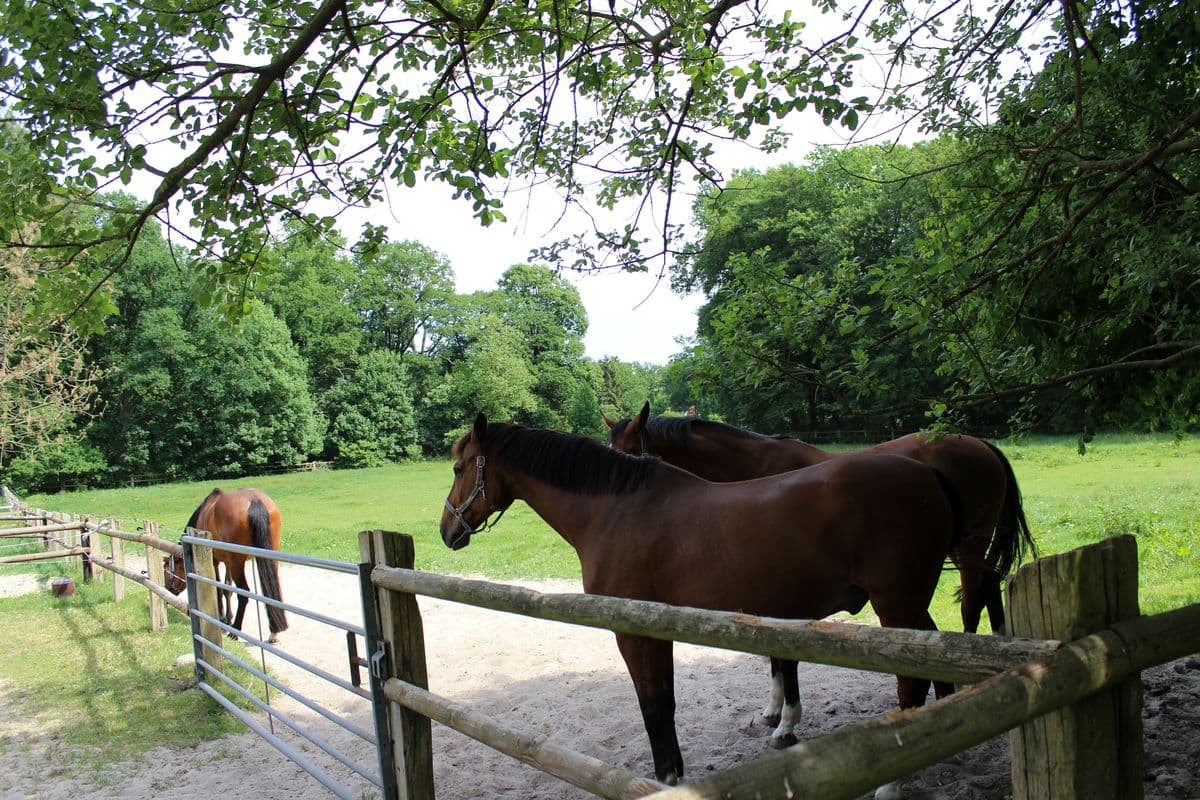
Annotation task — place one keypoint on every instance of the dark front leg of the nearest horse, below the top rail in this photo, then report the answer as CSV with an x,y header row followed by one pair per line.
x,y
651,666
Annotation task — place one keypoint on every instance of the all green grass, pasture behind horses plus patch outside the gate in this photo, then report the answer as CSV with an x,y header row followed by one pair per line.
x,y
1148,486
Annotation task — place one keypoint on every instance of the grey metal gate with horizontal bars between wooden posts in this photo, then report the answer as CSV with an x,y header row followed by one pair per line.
x,y
377,780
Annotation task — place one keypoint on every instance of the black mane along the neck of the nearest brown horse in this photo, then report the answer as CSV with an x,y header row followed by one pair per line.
x,y
568,461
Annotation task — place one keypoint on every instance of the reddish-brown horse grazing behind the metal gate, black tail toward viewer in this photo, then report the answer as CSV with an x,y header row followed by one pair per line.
x,y
247,518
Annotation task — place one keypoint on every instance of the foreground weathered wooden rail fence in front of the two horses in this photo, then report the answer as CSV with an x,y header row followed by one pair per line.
x,y
1067,687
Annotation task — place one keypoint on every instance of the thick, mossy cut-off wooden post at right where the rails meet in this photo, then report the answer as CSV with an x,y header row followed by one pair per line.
x,y
1095,749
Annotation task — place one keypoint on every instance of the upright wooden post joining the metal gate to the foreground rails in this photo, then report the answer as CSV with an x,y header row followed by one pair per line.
x,y
397,621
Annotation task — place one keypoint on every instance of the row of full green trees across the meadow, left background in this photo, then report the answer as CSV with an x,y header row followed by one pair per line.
x,y
357,354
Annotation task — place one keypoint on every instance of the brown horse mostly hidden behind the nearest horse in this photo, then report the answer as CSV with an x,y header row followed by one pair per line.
x,y
997,534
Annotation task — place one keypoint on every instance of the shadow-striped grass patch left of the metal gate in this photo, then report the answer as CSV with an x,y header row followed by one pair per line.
x,y
89,675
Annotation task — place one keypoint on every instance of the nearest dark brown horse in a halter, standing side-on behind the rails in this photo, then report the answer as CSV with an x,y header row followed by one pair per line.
x,y
803,545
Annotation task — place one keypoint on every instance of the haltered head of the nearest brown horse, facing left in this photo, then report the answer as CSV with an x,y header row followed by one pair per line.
x,y
469,506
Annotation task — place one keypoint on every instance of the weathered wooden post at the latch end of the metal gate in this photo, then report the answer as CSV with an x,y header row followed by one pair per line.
x,y
400,625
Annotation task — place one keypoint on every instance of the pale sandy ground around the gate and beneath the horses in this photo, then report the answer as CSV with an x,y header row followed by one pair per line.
x,y
569,684
